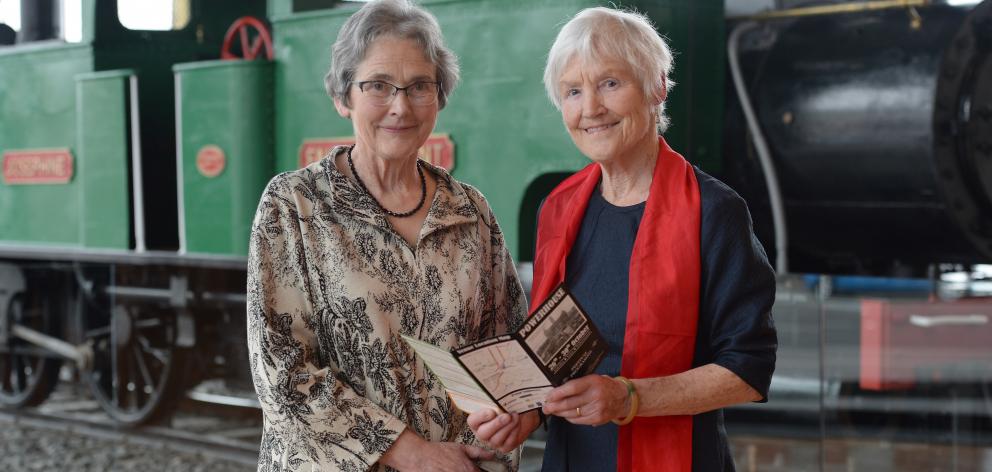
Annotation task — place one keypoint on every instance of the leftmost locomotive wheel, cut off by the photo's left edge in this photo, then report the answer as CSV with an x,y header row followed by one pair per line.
x,y
28,374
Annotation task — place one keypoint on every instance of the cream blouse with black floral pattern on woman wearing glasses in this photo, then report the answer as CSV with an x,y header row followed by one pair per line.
x,y
331,287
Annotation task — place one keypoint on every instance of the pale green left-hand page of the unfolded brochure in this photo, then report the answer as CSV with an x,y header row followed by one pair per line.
x,y
462,388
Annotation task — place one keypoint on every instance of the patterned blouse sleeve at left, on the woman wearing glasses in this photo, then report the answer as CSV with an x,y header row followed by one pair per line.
x,y
312,416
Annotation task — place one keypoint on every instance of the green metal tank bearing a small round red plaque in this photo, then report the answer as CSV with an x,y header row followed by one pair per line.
x,y
227,104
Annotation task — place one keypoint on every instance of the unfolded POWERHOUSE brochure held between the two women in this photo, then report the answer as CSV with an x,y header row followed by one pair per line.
x,y
514,372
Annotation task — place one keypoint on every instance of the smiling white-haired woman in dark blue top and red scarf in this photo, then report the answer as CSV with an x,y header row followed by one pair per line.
x,y
662,256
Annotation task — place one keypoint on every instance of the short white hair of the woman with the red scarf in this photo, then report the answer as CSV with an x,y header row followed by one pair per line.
x,y
599,33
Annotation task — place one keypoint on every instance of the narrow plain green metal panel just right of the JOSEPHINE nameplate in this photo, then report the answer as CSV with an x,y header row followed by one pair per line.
x,y
104,170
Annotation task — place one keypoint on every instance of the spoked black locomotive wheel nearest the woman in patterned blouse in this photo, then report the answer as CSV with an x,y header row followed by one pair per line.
x,y
138,371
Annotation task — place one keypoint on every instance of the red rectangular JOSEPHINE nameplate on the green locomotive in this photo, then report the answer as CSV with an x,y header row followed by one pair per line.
x,y
41,166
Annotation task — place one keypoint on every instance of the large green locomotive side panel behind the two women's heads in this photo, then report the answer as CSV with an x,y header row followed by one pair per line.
x,y
506,133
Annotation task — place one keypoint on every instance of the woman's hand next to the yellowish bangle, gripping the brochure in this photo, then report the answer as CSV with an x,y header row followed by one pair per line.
x,y
593,400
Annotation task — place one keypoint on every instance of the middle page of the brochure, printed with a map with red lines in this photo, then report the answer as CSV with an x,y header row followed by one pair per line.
x,y
509,374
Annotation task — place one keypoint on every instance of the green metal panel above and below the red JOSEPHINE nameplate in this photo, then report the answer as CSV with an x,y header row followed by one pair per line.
x,y
38,111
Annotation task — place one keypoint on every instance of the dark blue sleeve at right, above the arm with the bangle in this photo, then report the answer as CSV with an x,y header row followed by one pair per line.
x,y
737,290
